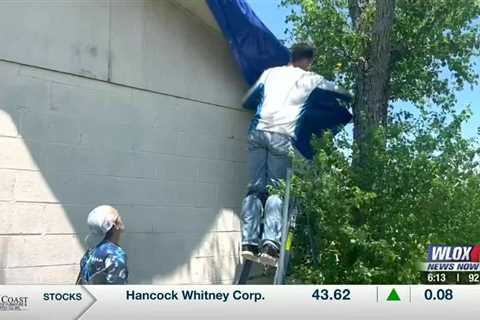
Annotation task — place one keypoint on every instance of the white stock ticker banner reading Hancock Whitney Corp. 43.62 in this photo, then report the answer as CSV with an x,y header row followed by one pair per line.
x,y
240,302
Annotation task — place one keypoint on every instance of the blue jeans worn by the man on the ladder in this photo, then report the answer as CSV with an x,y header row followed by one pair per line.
x,y
268,163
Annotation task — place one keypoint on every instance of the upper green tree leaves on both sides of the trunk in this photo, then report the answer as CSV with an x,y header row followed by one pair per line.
x,y
429,38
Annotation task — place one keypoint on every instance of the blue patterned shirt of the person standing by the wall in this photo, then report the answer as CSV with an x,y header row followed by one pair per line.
x,y
104,264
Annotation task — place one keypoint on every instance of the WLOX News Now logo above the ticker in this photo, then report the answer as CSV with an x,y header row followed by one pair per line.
x,y
453,258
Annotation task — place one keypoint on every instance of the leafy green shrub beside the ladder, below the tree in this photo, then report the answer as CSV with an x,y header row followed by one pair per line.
x,y
422,186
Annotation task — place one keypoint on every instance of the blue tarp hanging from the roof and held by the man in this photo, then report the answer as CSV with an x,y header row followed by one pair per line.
x,y
256,49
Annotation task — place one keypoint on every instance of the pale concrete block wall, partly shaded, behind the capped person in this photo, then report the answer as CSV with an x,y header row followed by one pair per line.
x,y
129,103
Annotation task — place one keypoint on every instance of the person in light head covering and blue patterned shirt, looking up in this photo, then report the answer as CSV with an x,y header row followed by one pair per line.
x,y
105,262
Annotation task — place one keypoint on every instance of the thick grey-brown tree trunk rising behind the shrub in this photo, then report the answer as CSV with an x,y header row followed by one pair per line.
x,y
373,76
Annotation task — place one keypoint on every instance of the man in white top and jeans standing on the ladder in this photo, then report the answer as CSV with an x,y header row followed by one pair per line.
x,y
279,96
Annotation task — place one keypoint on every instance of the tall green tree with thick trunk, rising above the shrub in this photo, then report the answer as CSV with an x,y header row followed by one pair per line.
x,y
390,50
